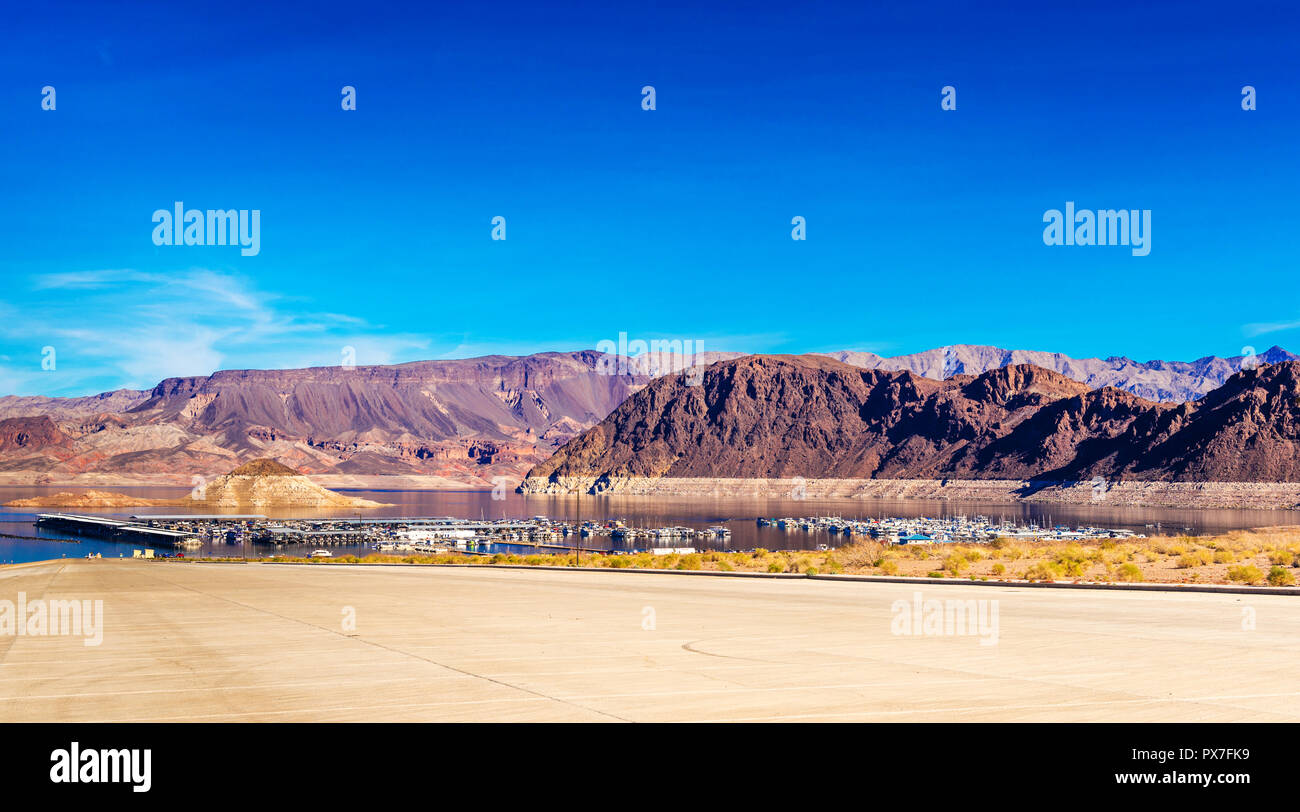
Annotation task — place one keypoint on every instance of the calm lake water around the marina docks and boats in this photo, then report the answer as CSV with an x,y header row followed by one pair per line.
x,y
738,514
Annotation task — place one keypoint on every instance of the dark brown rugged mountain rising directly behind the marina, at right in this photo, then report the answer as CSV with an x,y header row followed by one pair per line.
x,y
817,418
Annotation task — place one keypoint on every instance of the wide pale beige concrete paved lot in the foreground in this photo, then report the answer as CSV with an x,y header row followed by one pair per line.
x,y
270,642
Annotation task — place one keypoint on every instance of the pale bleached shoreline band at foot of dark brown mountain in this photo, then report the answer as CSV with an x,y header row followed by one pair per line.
x,y
1234,496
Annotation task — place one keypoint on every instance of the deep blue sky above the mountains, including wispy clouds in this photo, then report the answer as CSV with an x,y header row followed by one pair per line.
x,y
925,228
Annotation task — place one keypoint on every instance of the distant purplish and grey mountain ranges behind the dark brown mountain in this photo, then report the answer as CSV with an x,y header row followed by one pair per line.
x,y
444,424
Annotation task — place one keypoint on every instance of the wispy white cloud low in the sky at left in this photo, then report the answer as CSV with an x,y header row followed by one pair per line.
x,y
120,328
